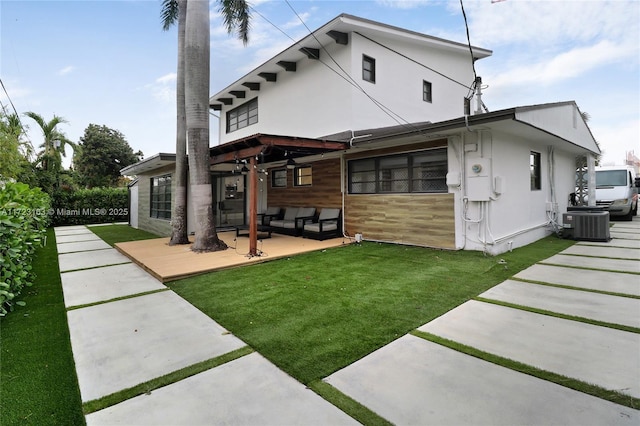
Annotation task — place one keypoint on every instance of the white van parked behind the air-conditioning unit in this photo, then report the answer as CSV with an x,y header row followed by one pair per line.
x,y
616,190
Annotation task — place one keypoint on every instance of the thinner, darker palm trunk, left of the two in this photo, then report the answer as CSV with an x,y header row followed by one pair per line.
x,y
179,217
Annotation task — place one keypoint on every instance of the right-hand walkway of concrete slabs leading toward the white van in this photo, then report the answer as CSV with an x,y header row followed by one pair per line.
x,y
415,381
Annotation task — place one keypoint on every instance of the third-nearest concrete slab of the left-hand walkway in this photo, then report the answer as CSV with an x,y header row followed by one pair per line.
x,y
106,283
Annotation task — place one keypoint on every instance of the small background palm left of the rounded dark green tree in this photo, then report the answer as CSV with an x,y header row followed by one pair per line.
x,y
54,144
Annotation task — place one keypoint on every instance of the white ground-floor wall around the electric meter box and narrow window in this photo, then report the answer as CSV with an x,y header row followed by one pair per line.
x,y
518,216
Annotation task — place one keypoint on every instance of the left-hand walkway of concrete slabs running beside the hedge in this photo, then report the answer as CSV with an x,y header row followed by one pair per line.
x,y
127,328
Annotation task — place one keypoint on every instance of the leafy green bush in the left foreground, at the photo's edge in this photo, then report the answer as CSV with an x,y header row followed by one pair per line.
x,y
23,222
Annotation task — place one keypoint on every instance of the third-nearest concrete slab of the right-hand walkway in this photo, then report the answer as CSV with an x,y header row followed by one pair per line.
x,y
585,304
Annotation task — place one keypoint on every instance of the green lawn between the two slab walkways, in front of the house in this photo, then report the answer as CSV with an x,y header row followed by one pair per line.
x,y
315,313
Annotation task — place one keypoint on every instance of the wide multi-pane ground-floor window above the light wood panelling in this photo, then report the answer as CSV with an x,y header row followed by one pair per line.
x,y
424,171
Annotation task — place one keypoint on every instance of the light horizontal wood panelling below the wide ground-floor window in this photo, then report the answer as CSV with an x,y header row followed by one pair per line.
x,y
418,219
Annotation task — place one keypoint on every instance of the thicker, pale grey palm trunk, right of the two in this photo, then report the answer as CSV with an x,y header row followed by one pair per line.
x,y
197,53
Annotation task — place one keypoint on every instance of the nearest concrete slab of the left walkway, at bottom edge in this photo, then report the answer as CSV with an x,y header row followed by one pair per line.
x,y
247,391
